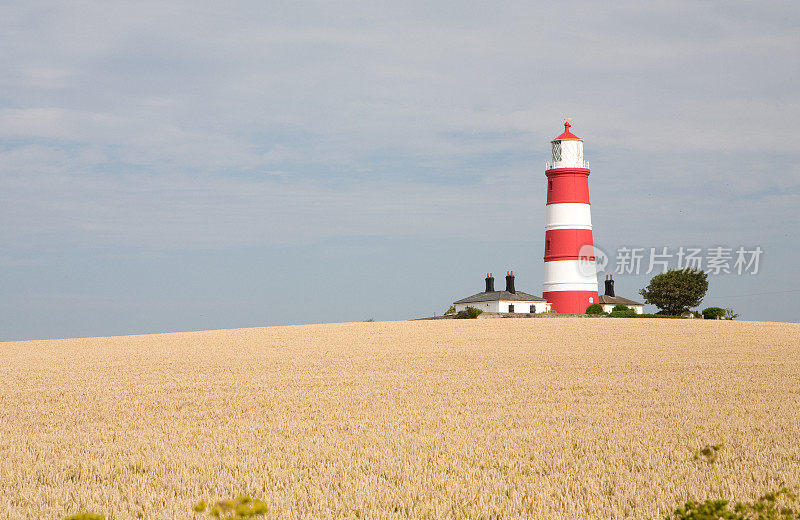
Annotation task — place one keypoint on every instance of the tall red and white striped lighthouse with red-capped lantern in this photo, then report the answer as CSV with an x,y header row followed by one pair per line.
x,y
570,276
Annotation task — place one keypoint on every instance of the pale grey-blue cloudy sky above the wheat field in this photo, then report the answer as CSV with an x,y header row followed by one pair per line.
x,y
189,165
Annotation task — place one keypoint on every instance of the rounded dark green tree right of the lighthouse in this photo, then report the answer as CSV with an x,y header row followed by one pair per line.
x,y
676,290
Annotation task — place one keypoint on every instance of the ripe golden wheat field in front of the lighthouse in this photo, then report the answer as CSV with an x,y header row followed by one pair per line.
x,y
514,418
